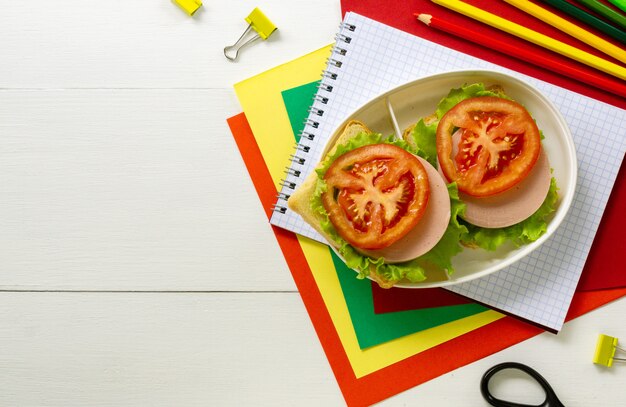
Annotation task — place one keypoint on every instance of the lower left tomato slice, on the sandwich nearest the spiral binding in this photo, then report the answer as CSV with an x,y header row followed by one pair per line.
x,y
376,194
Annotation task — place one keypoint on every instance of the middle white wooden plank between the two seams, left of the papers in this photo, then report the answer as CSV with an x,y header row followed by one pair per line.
x,y
129,190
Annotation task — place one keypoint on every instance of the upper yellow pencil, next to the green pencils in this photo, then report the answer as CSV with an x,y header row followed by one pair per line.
x,y
569,28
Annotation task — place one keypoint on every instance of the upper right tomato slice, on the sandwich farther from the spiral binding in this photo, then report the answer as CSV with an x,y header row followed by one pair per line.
x,y
499,144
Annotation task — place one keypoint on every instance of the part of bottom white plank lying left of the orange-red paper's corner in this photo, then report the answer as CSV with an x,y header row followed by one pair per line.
x,y
96,349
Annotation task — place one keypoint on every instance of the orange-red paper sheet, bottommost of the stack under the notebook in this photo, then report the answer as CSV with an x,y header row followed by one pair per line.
x,y
416,369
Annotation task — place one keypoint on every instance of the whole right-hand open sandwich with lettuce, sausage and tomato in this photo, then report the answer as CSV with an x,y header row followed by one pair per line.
x,y
490,146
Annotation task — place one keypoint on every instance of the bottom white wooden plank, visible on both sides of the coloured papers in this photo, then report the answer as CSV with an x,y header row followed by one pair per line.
x,y
97,349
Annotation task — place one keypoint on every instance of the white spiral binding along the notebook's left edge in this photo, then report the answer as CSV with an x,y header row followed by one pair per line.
x,y
312,122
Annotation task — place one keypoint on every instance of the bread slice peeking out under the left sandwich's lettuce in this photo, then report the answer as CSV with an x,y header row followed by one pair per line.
x,y
300,200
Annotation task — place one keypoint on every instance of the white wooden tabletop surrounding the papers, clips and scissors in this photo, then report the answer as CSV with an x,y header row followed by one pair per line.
x,y
136,264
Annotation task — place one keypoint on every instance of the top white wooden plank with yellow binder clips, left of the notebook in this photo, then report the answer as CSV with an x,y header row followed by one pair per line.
x,y
150,44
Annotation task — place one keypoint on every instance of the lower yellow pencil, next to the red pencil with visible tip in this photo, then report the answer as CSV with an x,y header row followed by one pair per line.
x,y
534,37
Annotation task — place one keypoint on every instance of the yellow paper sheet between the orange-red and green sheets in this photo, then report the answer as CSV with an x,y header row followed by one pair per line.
x,y
260,97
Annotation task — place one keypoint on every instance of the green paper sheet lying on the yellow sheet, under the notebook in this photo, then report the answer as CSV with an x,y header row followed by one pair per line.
x,y
371,328
